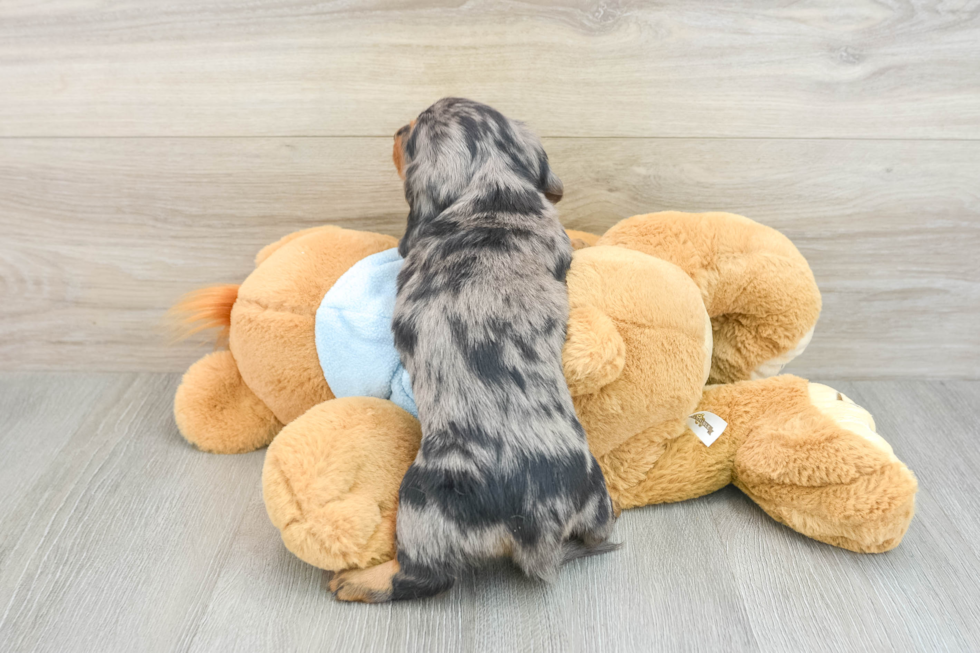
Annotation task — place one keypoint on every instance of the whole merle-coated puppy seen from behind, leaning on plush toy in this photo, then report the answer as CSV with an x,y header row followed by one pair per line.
x,y
504,467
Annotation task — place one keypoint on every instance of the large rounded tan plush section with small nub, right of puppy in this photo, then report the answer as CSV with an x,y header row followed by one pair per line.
x,y
639,344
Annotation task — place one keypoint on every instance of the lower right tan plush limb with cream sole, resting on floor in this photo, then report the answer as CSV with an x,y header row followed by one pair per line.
x,y
811,459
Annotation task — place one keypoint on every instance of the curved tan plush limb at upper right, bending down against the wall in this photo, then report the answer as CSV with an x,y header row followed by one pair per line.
x,y
758,289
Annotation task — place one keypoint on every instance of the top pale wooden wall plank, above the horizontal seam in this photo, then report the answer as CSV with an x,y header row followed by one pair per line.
x,y
572,68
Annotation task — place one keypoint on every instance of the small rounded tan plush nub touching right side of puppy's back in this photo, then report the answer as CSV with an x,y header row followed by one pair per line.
x,y
594,353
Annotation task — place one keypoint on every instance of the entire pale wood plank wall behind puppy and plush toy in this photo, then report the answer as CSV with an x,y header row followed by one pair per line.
x,y
147,148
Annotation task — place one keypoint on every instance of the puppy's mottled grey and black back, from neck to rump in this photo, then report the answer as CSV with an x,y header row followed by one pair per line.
x,y
504,464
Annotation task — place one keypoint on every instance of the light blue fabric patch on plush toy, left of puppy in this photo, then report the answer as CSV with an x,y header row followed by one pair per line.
x,y
353,333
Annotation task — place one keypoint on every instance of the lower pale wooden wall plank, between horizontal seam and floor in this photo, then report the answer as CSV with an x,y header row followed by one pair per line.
x,y
100,236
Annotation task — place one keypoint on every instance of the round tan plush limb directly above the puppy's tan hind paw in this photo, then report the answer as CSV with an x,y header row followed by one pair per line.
x,y
331,478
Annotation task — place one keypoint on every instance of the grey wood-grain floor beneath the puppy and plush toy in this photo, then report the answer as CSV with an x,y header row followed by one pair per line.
x,y
124,538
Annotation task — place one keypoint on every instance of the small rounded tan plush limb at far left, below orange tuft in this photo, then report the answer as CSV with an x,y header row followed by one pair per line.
x,y
215,411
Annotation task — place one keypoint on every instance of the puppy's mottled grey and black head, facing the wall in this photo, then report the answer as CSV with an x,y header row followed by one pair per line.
x,y
457,143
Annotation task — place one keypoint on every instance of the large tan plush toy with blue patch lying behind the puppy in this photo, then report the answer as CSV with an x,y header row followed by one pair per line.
x,y
660,305
